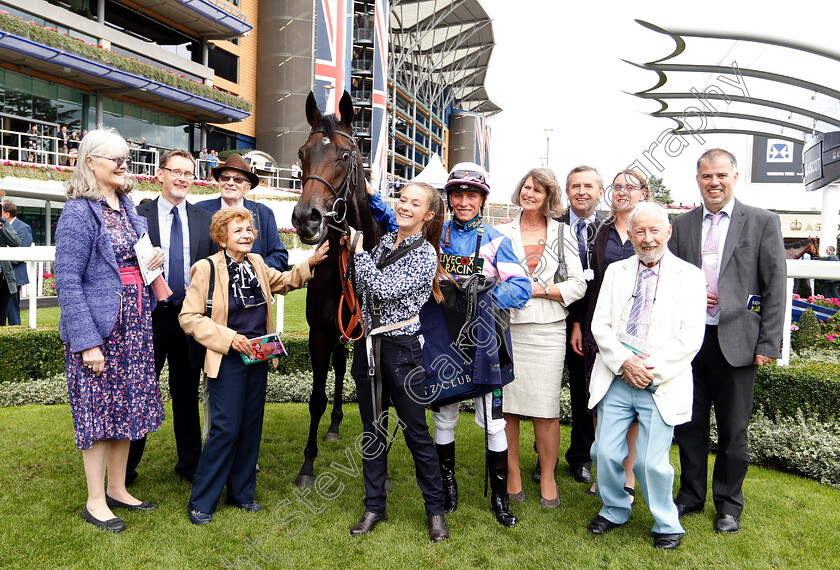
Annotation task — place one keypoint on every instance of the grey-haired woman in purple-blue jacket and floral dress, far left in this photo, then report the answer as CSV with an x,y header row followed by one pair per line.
x,y
106,323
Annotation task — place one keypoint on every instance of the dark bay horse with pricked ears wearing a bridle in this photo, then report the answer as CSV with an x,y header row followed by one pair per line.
x,y
333,196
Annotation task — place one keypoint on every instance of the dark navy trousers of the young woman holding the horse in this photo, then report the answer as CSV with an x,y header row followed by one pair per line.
x,y
399,362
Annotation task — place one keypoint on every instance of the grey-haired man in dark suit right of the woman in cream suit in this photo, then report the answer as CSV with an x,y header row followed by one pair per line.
x,y
584,188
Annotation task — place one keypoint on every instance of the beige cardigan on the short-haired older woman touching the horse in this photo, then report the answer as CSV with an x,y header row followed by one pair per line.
x,y
214,333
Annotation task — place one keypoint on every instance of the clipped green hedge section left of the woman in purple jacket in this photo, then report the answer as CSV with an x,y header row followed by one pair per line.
x,y
30,353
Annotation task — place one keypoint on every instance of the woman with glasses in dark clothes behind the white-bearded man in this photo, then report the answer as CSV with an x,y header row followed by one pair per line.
x,y
612,243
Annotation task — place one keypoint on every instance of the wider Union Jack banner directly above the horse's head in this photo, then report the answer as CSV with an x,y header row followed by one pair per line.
x,y
333,52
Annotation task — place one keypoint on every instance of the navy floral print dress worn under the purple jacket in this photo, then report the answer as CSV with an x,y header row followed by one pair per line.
x,y
125,402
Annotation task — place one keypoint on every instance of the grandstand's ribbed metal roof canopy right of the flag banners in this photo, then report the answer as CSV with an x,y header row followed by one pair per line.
x,y
440,50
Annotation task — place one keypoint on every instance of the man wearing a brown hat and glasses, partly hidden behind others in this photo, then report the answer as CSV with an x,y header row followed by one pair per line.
x,y
235,179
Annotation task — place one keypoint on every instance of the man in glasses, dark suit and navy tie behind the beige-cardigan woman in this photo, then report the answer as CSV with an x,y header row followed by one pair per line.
x,y
183,231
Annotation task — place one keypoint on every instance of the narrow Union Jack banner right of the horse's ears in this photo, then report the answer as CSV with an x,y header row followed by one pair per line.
x,y
379,127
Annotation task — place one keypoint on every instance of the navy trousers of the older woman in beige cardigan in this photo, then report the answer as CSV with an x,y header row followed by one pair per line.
x,y
229,457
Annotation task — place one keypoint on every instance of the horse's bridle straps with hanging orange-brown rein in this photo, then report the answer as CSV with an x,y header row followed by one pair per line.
x,y
338,222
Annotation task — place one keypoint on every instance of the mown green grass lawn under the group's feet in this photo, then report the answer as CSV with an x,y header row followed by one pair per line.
x,y
789,521
